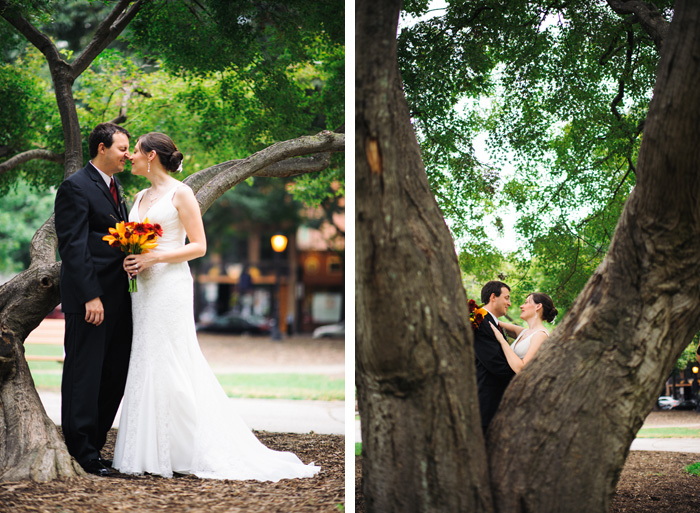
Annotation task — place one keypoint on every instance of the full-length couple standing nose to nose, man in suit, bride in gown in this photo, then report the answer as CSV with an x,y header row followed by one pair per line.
x,y
143,346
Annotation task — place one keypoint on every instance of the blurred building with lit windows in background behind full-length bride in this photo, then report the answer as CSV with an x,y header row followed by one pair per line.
x,y
303,285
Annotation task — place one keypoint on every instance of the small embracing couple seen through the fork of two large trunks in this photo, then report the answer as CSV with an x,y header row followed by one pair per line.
x,y
497,361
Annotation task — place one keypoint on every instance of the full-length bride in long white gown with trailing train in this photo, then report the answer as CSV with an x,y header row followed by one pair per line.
x,y
175,415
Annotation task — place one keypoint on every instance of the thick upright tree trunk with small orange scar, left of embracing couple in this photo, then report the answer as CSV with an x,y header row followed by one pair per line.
x,y
422,443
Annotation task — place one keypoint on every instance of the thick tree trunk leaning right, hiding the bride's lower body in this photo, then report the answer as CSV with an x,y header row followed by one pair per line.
x,y
582,400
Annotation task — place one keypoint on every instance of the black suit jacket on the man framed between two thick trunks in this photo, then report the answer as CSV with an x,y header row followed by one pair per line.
x,y
493,374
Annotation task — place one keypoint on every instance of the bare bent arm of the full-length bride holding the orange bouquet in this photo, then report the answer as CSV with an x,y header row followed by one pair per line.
x,y
191,218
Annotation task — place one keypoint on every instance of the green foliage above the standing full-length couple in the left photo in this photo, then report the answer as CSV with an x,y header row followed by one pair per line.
x,y
223,79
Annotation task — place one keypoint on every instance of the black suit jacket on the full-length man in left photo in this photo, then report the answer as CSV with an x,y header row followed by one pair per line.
x,y
85,210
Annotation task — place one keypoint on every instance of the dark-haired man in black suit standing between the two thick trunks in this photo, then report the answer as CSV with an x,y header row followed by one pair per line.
x,y
493,374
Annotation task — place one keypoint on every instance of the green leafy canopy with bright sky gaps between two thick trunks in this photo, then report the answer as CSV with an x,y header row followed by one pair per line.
x,y
562,91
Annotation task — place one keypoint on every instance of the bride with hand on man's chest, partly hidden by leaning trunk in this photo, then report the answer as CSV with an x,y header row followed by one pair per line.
x,y
537,307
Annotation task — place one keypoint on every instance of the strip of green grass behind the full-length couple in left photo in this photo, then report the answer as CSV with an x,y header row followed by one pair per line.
x,y
259,386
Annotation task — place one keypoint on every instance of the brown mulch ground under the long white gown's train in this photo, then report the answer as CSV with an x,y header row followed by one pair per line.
x,y
120,492
